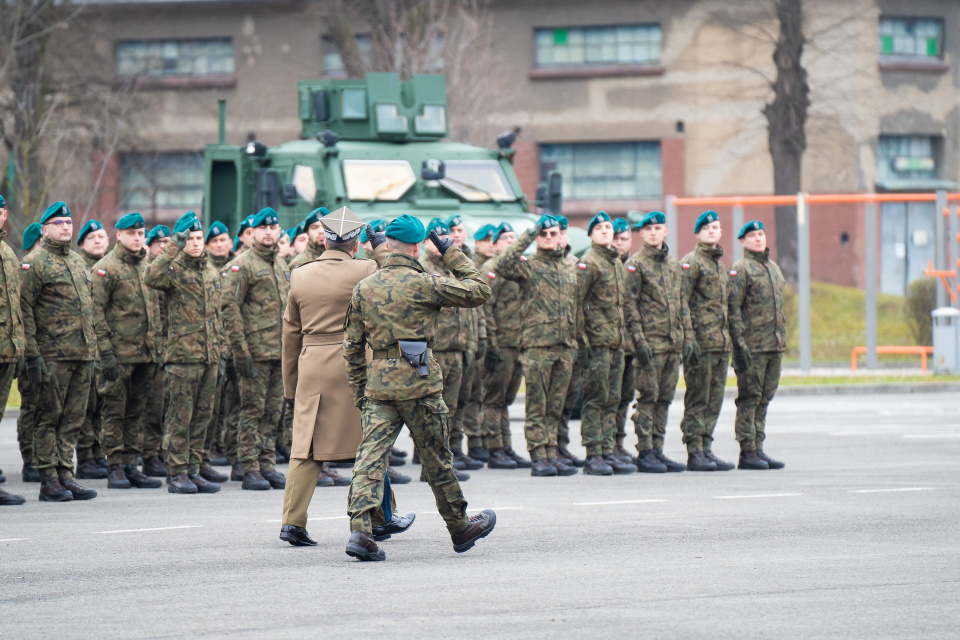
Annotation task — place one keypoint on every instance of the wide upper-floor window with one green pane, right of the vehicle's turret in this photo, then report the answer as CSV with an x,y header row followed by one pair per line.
x,y
626,45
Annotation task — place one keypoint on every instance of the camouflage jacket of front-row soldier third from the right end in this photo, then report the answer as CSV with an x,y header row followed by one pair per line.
x,y
657,283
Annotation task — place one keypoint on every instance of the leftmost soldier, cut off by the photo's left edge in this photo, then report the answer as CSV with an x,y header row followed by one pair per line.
x,y
12,339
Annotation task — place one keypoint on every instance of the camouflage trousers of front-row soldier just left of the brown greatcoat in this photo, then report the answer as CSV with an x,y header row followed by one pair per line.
x,y
261,401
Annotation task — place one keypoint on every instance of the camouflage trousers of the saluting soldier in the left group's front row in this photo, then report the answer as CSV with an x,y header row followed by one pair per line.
x,y
190,390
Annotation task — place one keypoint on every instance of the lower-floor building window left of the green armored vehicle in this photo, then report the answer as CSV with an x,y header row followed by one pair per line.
x,y
153,181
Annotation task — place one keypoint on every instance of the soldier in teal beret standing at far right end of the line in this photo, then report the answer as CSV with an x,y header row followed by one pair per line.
x,y
758,329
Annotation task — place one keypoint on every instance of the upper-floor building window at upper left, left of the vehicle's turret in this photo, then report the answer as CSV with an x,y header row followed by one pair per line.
x,y
175,57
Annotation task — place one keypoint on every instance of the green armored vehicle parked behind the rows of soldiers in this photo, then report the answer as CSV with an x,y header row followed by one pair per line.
x,y
373,145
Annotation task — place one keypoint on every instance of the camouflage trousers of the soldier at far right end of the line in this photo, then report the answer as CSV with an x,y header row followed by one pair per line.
x,y
755,390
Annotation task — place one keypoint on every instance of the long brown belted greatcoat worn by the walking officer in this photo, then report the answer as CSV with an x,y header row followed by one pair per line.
x,y
314,371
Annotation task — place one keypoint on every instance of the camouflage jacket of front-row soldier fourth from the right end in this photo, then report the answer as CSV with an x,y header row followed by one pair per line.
x,y
602,293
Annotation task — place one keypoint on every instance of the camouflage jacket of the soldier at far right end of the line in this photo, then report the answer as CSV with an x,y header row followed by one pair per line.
x,y
756,303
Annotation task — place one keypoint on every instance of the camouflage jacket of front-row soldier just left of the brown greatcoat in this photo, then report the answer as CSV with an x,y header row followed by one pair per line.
x,y
255,297
